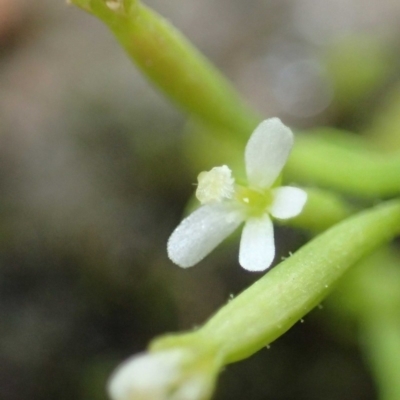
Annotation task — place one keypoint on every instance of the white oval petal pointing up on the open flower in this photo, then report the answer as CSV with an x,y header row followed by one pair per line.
x,y
267,151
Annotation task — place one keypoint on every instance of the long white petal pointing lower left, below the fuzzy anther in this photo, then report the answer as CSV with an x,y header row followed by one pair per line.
x,y
202,231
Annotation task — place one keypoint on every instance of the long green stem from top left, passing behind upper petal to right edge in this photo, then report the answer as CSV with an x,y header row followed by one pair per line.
x,y
176,67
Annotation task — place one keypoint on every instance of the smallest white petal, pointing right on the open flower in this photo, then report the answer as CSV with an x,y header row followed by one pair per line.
x,y
288,202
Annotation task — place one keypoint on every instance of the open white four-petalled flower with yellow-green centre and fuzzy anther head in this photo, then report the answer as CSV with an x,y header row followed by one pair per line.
x,y
226,205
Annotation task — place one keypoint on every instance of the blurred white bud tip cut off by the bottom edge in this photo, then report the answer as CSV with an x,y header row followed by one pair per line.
x,y
164,375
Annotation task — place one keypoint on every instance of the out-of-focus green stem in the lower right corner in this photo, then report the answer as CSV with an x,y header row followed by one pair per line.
x,y
371,295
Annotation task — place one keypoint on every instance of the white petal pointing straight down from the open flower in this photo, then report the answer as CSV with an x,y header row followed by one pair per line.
x,y
257,248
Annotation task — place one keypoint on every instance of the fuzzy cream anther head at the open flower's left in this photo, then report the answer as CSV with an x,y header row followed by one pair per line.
x,y
215,185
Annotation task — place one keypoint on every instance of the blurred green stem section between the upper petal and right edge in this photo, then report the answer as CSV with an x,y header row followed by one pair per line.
x,y
354,170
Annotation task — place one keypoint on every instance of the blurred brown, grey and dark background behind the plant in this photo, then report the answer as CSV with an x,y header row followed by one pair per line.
x,y
95,174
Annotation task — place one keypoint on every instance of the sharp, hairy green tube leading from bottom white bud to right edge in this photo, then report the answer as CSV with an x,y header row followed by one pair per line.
x,y
284,295
